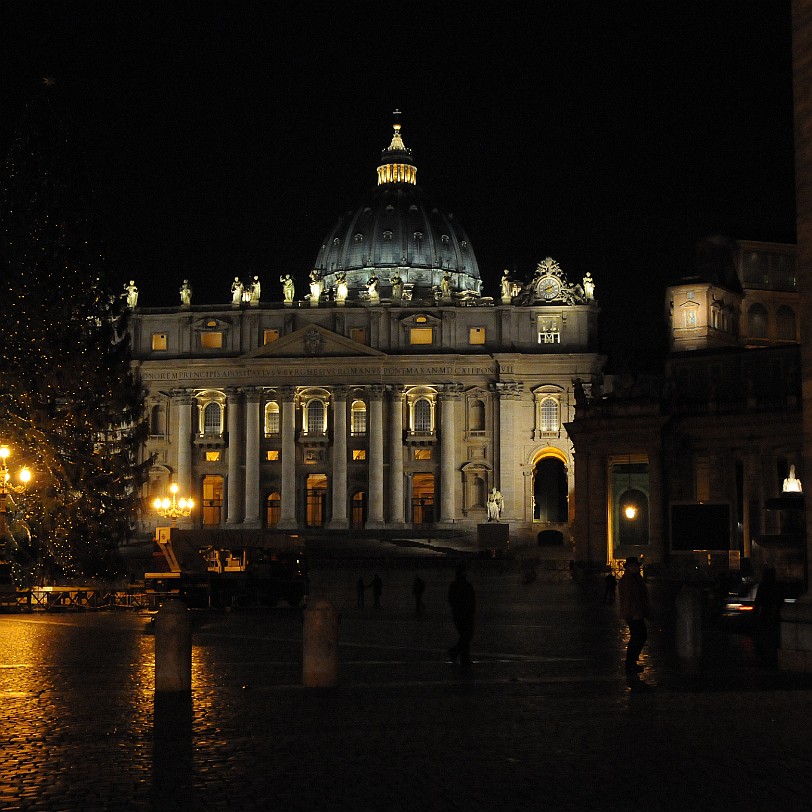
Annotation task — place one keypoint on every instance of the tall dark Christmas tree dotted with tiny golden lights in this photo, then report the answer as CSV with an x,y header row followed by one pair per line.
x,y
69,404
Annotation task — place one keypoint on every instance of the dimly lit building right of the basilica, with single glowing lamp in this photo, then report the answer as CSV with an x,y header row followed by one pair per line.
x,y
686,469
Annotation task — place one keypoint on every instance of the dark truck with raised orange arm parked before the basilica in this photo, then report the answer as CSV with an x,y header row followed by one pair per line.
x,y
229,568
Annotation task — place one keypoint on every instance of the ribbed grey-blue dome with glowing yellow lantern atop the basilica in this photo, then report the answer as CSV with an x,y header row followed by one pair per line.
x,y
397,230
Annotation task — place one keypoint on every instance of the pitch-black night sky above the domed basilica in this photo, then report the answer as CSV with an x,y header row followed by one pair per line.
x,y
225,138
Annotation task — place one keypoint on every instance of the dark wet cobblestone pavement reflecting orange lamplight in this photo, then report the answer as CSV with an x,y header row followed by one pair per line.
x,y
545,721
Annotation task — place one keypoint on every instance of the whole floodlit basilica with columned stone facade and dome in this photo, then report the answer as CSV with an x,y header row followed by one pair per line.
x,y
389,394
